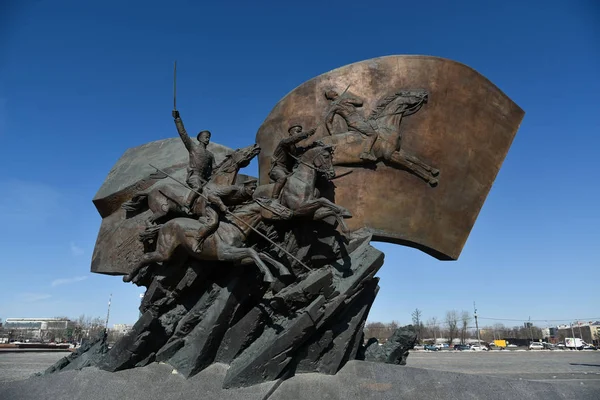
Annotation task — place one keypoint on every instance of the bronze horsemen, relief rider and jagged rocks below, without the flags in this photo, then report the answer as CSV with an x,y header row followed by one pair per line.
x,y
303,307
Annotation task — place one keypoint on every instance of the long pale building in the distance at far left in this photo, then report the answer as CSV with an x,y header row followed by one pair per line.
x,y
38,328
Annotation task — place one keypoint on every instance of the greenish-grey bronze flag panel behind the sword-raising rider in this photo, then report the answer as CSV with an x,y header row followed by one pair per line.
x,y
117,247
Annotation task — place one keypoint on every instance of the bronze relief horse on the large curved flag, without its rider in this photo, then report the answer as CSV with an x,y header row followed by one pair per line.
x,y
387,117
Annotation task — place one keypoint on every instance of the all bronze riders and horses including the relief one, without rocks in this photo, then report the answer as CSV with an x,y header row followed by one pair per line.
x,y
214,219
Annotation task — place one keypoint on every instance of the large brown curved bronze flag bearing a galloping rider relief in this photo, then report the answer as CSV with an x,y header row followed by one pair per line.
x,y
423,137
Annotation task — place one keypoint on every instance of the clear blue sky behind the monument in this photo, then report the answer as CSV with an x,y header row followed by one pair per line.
x,y
81,82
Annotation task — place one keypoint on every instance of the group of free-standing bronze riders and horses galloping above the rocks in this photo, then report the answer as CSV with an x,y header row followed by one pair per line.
x,y
213,218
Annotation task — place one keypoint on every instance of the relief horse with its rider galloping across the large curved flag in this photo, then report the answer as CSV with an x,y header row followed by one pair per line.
x,y
378,136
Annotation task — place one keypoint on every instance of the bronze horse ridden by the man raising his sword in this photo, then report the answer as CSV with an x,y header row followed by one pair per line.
x,y
167,198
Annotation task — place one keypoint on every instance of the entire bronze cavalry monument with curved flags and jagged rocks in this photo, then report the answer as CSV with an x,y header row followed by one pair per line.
x,y
277,275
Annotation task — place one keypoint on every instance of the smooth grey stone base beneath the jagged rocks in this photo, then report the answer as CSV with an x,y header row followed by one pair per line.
x,y
356,380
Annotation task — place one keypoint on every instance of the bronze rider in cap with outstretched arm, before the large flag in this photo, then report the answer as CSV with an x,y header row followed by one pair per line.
x,y
284,157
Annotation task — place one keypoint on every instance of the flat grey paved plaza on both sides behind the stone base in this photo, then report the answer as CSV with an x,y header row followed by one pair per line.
x,y
554,366
